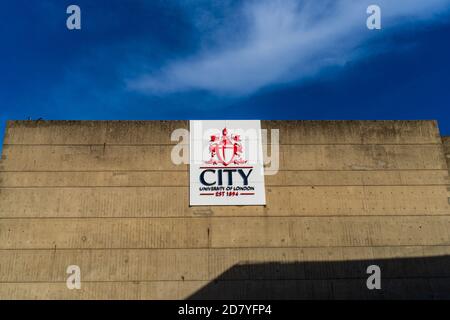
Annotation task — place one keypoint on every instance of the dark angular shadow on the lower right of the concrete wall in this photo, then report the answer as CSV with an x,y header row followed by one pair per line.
x,y
405,278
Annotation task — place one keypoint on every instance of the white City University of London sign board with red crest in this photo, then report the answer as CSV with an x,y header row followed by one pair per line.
x,y
226,163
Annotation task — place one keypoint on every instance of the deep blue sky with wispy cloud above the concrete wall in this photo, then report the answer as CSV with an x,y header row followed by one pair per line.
x,y
198,59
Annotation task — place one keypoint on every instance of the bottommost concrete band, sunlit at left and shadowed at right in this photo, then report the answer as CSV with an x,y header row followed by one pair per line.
x,y
403,288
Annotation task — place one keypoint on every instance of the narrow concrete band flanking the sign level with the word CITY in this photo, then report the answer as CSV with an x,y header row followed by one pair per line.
x,y
181,178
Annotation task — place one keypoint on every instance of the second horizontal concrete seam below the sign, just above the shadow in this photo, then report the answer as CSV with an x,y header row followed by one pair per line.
x,y
223,248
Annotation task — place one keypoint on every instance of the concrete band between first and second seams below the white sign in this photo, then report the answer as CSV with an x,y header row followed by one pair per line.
x,y
223,232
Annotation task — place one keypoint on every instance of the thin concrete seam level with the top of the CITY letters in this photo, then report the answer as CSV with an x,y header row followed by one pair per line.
x,y
187,170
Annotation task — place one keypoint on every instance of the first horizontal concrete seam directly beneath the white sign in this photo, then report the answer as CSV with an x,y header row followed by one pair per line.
x,y
209,216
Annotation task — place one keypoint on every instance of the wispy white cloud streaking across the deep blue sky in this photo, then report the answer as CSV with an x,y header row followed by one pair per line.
x,y
280,41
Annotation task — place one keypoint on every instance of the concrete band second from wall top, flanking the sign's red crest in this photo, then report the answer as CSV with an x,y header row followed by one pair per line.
x,y
292,157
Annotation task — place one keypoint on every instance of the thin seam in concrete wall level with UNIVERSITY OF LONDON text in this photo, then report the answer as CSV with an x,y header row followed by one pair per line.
x,y
267,186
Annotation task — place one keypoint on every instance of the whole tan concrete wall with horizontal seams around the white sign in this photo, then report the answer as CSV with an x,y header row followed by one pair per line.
x,y
105,196
